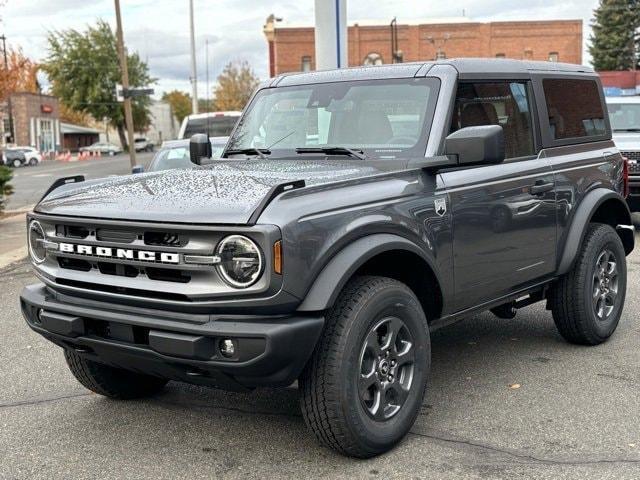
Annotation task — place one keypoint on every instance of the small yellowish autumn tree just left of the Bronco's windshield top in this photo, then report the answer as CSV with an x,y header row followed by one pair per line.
x,y
235,85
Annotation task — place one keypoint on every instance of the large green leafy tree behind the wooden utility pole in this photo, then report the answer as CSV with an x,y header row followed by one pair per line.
x,y
83,68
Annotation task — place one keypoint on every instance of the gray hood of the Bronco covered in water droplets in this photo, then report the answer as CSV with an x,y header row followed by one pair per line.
x,y
226,192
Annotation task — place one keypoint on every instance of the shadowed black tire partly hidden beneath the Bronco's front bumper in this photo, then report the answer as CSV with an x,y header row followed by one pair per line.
x,y
112,382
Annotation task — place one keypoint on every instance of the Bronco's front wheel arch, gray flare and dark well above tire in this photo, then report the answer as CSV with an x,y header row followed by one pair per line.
x,y
385,255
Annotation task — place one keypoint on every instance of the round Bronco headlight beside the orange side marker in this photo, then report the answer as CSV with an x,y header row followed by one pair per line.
x,y
240,261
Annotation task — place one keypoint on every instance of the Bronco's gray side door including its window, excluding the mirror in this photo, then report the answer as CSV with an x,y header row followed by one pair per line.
x,y
504,218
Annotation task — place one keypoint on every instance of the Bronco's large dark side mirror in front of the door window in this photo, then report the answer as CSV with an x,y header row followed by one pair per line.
x,y
476,145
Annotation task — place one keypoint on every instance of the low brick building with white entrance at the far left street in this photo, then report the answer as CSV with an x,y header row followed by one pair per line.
x,y
36,121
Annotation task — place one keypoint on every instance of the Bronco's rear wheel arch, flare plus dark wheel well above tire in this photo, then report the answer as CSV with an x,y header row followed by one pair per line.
x,y
603,206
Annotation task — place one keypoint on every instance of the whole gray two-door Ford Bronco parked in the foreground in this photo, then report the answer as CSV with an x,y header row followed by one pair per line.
x,y
352,213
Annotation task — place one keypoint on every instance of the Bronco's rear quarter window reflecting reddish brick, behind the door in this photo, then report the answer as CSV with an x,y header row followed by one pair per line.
x,y
574,108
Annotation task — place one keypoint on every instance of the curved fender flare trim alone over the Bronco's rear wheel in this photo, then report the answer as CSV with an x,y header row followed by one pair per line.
x,y
581,219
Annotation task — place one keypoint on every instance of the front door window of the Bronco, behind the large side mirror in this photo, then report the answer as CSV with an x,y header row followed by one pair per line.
x,y
497,103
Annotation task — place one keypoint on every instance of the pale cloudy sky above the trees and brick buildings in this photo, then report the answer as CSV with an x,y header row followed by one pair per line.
x,y
159,29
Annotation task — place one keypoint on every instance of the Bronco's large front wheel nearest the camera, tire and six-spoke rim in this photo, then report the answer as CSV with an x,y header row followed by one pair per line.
x,y
331,403
